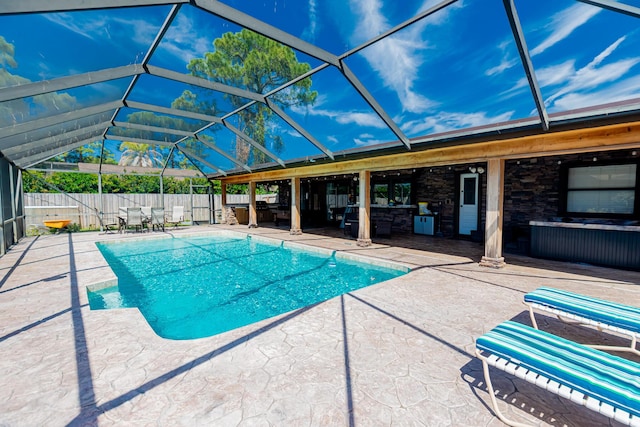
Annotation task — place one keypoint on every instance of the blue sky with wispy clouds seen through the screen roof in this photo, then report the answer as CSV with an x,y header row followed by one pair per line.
x,y
456,69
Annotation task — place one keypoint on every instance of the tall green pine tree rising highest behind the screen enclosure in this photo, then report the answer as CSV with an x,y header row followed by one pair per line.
x,y
253,62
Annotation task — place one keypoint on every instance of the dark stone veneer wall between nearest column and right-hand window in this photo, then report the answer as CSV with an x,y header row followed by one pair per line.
x,y
532,191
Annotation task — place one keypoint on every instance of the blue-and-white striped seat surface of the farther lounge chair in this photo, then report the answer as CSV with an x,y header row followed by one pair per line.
x,y
609,313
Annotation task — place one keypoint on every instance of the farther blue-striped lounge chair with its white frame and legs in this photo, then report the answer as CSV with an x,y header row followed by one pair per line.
x,y
587,311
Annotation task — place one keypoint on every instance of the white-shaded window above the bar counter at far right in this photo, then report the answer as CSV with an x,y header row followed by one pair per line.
x,y
602,189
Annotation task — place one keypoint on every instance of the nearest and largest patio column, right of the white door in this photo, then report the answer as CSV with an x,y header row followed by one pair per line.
x,y
493,229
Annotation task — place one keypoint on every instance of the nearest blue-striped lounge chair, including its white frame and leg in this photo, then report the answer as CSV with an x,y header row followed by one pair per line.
x,y
600,381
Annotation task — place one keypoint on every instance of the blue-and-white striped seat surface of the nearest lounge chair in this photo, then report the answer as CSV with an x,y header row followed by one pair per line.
x,y
597,374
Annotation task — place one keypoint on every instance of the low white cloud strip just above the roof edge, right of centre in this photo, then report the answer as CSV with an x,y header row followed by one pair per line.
x,y
445,121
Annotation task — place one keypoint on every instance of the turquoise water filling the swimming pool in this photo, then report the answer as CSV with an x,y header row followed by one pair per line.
x,y
197,287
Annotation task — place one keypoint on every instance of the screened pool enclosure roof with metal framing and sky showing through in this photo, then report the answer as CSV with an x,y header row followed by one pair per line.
x,y
235,87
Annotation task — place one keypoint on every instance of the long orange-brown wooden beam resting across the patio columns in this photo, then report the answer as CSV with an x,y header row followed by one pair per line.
x,y
611,137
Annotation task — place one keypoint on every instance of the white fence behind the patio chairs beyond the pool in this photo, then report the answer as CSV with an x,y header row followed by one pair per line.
x,y
83,209
